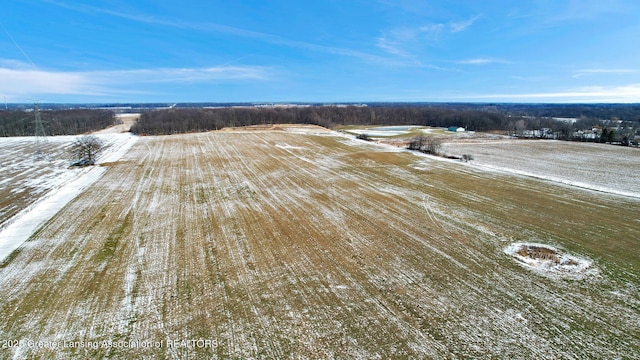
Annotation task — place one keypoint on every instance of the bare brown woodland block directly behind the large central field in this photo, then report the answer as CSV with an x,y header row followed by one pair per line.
x,y
172,121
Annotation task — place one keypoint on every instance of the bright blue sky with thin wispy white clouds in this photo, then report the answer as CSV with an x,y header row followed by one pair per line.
x,y
320,51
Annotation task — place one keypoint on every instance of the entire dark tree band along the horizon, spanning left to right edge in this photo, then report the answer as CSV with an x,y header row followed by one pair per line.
x,y
162,118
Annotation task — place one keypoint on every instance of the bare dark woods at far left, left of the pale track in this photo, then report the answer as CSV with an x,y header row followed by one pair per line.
x,y
55,122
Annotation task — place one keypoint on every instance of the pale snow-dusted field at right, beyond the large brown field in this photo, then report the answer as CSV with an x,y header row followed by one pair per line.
x,y
601,167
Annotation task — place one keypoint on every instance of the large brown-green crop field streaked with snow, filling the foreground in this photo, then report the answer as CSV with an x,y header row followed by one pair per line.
x,y
273,244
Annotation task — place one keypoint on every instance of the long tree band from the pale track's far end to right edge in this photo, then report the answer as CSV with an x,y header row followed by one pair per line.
x,y
507,119
